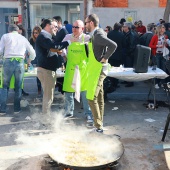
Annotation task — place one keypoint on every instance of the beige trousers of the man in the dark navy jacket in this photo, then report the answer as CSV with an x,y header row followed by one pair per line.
x,y
48,80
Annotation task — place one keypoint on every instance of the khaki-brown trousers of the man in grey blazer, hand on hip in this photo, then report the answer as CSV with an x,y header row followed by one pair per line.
x,y
97,104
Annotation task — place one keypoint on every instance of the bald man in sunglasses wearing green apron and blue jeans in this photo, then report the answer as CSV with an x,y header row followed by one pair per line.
x,y
76,56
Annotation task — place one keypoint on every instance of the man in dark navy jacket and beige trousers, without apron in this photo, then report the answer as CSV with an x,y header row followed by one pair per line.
x,y
47,64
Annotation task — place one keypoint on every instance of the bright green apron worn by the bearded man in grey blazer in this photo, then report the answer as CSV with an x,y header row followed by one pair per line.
x,y
93,71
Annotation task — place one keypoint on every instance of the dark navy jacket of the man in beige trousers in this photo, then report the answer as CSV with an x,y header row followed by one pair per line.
x,y
43,45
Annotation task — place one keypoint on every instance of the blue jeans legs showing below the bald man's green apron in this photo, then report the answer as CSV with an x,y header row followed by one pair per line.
x,y
69,103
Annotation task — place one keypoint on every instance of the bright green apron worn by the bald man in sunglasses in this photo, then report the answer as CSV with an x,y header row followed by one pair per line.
x,y
76,56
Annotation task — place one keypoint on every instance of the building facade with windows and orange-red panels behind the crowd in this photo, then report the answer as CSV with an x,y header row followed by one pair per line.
x,y
109,11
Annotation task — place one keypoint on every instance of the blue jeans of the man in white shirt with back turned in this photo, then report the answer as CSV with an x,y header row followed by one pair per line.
x,y
10,68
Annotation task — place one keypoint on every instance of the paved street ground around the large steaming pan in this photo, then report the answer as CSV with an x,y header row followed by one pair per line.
x,y
141,138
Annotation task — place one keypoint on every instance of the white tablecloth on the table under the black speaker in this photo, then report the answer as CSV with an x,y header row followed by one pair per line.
x,y
127,74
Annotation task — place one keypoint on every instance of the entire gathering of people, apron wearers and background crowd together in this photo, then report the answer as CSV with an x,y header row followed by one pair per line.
x,y
85,49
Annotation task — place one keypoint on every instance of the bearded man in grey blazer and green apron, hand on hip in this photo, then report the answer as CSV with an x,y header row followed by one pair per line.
x,y
100,49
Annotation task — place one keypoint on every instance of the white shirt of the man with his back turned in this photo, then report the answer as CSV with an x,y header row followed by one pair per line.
x,y
15,45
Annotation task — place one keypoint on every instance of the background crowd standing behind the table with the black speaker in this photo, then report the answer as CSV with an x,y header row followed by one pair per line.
x,y
128,35
